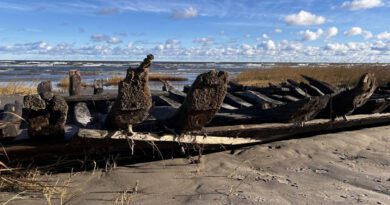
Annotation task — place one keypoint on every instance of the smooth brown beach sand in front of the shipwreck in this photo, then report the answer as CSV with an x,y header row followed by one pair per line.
x,y
349,167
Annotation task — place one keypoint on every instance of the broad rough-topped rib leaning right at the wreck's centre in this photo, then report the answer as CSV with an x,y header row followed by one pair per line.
x,y
203,100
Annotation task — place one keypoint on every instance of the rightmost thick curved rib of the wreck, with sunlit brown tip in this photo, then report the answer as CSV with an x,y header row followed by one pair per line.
x,y
345,102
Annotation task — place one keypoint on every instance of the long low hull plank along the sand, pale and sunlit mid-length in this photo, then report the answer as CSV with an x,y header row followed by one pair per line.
x,y
101,142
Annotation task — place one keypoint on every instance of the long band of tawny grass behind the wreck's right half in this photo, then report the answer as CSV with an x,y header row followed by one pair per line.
x,y
338,75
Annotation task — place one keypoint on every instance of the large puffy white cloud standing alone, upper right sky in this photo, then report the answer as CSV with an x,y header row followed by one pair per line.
x,y
304,18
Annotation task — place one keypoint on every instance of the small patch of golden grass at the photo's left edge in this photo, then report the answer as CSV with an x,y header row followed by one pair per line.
x,y
18,88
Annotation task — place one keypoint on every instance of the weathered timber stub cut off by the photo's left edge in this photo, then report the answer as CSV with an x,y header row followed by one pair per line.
x,y
11,120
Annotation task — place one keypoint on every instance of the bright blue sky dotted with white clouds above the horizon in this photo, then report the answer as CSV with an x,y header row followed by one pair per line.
x,y
203,30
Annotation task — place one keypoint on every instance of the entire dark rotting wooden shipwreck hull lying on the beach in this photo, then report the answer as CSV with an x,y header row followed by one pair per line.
x,y
213,114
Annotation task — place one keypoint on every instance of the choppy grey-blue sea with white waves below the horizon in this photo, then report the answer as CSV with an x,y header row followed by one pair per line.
x,y
33,72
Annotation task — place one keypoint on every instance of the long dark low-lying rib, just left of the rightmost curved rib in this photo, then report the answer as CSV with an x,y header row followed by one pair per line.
x,y
295,112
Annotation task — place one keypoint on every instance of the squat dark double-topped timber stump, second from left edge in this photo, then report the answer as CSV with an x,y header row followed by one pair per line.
x,y
45,118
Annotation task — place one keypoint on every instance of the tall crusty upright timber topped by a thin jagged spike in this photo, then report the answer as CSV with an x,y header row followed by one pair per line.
x,y
134,98
